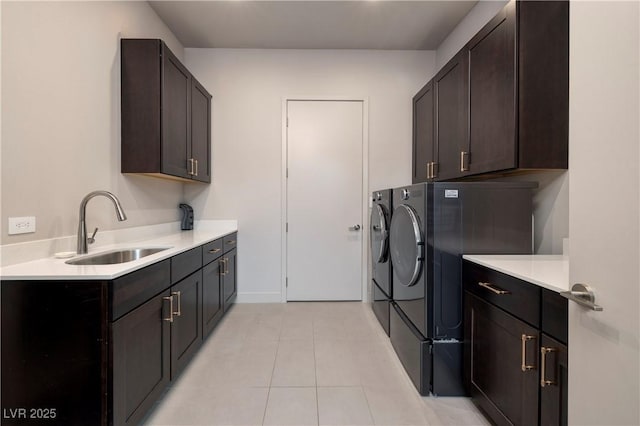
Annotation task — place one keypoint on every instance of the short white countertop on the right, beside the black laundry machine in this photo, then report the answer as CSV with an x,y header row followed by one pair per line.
x,y
548,271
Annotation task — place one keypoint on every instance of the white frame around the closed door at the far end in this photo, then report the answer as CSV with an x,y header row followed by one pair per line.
x,y
364,185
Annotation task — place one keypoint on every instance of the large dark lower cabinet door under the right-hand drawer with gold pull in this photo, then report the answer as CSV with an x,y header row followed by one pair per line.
x,y
501,358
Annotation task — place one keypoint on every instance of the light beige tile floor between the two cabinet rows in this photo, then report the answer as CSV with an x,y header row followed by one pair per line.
x,y
322,363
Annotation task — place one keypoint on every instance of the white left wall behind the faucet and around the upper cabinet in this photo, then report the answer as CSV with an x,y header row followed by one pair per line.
x,y
61,116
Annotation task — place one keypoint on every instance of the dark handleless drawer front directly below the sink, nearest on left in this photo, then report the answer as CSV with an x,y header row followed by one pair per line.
x,y
137,287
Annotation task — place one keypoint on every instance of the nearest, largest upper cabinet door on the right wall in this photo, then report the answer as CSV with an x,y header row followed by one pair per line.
x,y
492,91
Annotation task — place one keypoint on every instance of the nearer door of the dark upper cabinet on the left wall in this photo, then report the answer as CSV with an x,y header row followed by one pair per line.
x,y
176,105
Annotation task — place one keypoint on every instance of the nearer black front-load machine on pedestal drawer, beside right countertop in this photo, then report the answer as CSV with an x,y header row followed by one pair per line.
x,y
432,225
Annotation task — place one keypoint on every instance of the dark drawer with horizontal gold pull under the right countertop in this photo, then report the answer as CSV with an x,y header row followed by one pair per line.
x,y
520,298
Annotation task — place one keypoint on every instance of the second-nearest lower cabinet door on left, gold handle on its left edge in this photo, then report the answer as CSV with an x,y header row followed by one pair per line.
x,y
186,328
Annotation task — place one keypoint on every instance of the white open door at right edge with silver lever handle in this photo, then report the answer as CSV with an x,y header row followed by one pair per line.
x,y
604,362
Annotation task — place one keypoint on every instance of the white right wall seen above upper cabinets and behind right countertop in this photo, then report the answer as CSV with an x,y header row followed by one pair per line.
x,y
551,199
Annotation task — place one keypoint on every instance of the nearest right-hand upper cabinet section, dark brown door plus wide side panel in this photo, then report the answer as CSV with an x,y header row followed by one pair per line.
x,y
519,89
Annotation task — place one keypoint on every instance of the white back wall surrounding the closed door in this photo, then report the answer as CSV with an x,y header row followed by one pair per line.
x,y
248,88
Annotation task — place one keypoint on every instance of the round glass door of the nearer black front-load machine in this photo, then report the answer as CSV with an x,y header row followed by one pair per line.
x,y
406,245
